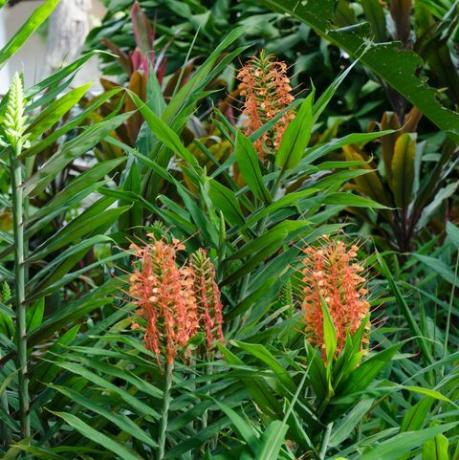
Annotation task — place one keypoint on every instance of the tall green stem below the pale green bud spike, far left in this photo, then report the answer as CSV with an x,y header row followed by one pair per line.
x,y
19,291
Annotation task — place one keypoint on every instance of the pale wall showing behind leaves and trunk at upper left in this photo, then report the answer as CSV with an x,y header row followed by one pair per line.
x,y
31,57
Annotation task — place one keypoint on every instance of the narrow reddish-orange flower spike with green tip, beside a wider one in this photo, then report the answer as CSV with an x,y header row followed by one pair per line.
x,y
210,308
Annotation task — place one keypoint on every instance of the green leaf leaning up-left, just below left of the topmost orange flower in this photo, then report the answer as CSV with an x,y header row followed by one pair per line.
x,y
247,159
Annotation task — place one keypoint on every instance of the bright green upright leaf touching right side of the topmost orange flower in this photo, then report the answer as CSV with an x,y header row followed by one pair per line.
x,y
296,137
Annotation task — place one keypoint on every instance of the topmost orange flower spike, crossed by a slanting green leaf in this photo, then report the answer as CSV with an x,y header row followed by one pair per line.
x,y
266,90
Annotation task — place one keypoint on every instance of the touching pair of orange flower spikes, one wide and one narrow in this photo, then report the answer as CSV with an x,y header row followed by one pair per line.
x,y
175,301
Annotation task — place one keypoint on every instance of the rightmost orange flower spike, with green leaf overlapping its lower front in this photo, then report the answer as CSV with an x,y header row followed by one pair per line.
x,y
332,275
